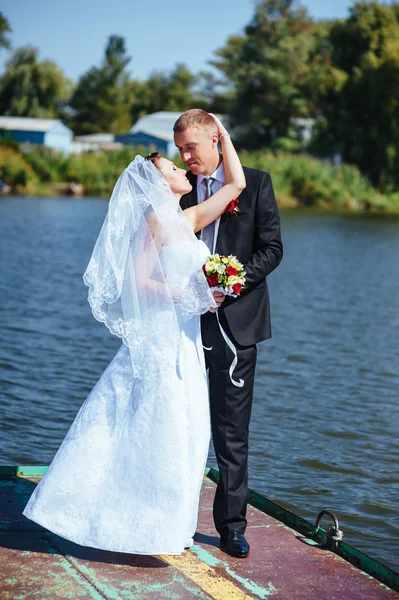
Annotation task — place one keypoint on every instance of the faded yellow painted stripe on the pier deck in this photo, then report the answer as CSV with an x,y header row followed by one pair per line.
x,y
205,577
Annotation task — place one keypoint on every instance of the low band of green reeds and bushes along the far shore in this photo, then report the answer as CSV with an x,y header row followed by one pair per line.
x,y
299,180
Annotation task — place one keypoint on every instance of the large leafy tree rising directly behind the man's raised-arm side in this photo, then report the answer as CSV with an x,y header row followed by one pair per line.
x,y
276,69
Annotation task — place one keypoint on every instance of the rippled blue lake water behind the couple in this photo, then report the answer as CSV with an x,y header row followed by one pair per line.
x,y
325,420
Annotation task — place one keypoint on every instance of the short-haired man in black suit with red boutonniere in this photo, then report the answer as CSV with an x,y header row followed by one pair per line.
x,y
253,236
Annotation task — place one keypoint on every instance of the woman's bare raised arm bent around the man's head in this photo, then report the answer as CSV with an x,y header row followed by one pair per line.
x,y
205,213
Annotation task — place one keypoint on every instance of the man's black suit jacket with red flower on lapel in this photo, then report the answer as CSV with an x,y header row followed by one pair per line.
x,y
254,237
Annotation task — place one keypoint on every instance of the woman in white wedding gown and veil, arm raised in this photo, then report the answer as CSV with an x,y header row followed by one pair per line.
x,y
128,475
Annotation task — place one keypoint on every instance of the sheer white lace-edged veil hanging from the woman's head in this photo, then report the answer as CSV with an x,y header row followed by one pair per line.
x,y
139,295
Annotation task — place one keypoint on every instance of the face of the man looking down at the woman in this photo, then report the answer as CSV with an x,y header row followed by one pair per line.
x,y
198,147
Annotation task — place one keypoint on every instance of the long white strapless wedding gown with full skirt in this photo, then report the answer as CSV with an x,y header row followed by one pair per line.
x,y
128,475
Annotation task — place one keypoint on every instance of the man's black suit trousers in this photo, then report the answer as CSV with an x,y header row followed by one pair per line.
x,y
230,415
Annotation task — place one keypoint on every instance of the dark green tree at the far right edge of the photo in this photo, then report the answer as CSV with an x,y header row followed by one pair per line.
x,y
363,116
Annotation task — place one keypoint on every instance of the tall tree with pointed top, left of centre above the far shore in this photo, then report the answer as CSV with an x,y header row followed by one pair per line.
x,y
103,96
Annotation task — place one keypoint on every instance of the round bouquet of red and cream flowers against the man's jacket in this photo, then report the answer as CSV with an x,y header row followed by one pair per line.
x,y
225,274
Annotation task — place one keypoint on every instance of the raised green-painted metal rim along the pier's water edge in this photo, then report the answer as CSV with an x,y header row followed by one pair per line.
x,y
357,558
